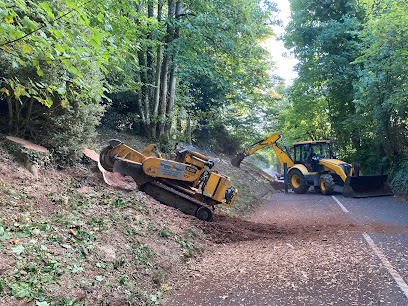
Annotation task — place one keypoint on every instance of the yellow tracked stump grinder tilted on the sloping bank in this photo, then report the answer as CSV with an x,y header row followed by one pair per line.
x,y
187,183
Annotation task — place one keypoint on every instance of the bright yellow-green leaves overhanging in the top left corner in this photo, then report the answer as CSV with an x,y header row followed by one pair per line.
x,y
39,37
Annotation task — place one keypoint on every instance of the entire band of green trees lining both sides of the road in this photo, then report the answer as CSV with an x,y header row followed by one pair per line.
x,y
196,69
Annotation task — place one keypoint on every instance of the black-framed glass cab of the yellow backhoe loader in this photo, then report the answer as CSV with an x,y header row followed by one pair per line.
x,y
309,153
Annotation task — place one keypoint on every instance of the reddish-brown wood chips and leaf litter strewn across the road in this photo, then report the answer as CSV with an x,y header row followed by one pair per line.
x,y
291,251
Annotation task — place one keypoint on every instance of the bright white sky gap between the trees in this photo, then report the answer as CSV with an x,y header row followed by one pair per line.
x,y
284,61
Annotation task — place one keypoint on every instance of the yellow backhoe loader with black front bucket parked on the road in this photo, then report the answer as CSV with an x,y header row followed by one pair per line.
x,y
313,164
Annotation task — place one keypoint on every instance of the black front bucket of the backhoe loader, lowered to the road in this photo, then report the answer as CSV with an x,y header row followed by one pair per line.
x,y
366,186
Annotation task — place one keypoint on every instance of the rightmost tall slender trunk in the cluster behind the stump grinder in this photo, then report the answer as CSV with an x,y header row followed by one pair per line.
x,y
165,69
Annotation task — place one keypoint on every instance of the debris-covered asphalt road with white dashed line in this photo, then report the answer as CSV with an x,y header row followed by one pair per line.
x,y
332,251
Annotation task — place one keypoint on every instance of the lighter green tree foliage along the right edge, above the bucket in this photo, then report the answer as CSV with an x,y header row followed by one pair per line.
x,y
381,96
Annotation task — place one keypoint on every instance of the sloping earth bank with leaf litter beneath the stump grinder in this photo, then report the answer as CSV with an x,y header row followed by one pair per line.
x,y
67,238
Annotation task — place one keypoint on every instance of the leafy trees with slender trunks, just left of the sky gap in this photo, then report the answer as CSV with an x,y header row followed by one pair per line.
x,y
217,52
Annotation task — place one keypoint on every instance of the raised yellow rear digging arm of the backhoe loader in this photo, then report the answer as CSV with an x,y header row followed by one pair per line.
x,y
284,157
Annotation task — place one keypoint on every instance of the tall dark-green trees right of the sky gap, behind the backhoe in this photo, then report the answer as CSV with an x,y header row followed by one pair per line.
x,y
352,79
